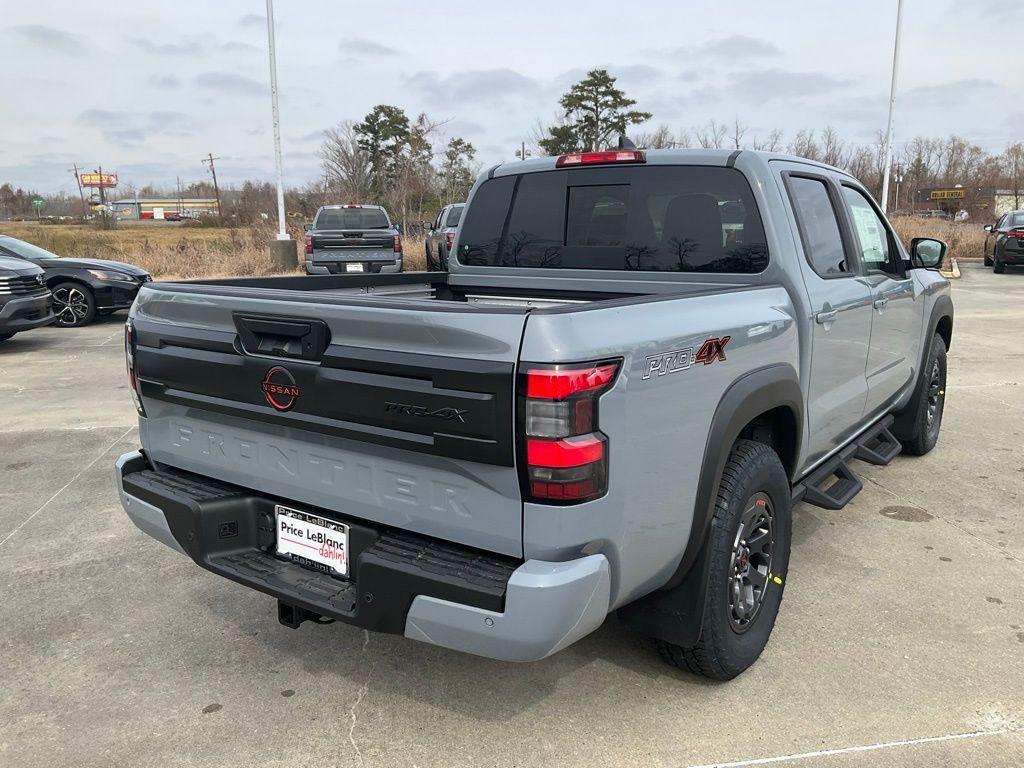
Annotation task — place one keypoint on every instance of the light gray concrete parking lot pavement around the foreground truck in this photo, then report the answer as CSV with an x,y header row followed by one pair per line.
x,y
904,619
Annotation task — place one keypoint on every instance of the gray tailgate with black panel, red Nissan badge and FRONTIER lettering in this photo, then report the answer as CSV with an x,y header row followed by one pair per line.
x,y
397,415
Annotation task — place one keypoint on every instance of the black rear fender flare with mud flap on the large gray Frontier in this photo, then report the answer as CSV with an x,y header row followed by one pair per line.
x,y
675,612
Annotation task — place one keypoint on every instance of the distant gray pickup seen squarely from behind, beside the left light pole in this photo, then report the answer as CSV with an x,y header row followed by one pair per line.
x,y
353,239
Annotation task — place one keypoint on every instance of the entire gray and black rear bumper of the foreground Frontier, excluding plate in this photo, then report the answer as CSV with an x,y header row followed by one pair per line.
x,y
423,588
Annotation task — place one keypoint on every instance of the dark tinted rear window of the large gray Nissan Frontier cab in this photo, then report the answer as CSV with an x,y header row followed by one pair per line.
x,y
650,219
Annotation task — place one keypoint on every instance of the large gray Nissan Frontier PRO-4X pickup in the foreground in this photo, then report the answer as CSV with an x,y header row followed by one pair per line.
x,y
637,365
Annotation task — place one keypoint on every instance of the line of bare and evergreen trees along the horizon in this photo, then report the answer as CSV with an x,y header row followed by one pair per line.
x,y
413,168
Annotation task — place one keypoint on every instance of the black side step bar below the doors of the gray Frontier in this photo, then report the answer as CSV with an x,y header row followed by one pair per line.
x,y
834,485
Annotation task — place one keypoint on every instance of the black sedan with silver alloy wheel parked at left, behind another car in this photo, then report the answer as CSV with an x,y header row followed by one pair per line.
x,y
82,288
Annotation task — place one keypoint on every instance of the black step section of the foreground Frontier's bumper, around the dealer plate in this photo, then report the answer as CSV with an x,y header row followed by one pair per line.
x,y
231,532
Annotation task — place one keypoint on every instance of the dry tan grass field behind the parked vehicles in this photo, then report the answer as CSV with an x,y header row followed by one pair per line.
x,y
174,252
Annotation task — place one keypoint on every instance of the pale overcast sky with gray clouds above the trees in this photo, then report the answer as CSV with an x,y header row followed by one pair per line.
x,y
148,90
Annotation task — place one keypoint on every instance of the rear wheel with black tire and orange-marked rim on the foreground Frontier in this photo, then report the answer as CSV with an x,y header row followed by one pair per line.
x,y
749,545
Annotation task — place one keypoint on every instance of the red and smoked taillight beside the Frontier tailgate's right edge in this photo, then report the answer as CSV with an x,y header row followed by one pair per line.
x,y
566,457
